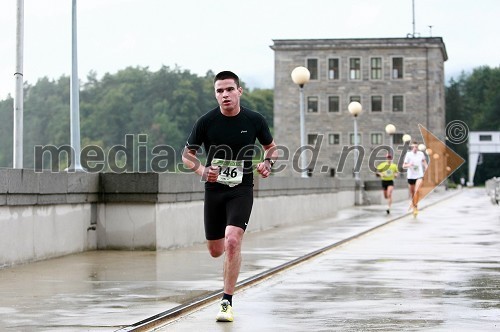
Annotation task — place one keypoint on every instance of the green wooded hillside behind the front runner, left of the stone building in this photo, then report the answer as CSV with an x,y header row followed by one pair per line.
x,y
160,106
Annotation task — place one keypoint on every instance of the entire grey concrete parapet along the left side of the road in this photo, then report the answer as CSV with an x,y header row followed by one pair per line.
x,y
45,215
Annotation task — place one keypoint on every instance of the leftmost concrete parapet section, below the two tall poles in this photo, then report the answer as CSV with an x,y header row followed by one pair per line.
x,y
44,215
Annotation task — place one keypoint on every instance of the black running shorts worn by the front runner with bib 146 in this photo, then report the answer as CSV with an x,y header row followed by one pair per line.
x,y
227,206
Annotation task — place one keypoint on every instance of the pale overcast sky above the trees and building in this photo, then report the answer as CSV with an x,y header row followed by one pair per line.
x,y
202,35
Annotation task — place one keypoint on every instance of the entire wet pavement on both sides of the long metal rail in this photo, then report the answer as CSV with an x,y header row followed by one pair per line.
x,y
438,272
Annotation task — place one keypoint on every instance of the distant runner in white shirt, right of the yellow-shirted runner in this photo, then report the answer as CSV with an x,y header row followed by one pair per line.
x,y
416,165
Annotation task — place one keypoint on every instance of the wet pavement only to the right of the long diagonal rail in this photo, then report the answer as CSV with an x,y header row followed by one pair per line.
x,y
438,272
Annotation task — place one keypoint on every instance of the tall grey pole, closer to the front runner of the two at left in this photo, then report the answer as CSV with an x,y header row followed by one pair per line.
x,y
75,101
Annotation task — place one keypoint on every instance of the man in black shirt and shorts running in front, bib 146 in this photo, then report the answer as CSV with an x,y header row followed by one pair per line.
x,y
228,134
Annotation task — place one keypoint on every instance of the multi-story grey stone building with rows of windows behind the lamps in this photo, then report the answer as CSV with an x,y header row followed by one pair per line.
x,y
398,81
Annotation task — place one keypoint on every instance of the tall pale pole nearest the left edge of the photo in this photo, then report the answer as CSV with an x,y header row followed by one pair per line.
x,y
19,94
